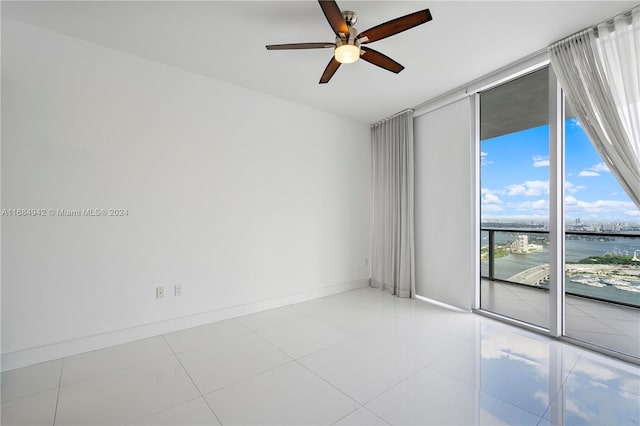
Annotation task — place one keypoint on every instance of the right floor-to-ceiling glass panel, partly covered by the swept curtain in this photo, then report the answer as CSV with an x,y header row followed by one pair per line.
x,y
602,250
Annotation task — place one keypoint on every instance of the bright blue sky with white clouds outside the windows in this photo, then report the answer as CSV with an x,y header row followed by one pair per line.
x,y
515,179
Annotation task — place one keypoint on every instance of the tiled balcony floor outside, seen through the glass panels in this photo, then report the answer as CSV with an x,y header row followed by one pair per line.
x,y
602,324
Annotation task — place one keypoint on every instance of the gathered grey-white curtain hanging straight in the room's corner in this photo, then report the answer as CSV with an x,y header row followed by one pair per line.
x,y
392,242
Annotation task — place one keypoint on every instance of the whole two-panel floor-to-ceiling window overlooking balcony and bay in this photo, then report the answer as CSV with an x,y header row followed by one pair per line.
x,y
601,251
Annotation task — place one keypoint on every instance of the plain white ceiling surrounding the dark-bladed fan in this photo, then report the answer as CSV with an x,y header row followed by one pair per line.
x,y
225,40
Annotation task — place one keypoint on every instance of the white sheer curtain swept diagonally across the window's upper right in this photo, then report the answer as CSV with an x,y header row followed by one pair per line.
x,y
599,69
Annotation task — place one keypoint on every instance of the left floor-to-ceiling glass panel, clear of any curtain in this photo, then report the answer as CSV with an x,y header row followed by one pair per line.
x,y
514,145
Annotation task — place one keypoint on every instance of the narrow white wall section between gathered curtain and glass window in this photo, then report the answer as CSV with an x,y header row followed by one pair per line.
x,y
444,213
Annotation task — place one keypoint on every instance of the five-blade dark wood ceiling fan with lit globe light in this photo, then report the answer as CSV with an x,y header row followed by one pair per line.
x,y
348,45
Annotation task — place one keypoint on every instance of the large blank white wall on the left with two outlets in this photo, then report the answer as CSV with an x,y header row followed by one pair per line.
x,y
240,197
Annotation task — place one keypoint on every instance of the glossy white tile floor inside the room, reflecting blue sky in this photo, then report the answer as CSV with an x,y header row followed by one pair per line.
x,y
361,357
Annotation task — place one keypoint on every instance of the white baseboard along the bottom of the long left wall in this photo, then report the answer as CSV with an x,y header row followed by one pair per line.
x,y
58,350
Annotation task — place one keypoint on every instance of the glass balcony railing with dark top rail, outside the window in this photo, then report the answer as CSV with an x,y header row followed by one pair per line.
x,y
601,266
